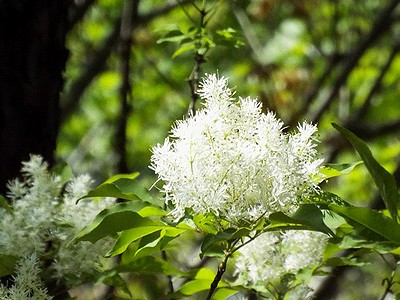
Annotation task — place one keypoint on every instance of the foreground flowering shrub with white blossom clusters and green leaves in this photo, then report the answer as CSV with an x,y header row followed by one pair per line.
x,y
235,179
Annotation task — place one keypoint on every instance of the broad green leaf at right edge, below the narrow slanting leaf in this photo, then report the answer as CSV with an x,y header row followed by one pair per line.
x,y
374,221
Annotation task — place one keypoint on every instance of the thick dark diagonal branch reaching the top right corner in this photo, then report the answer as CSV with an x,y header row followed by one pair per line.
x,y
381,24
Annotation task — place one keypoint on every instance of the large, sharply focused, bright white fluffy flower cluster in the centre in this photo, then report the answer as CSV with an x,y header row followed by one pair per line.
x,y
234,161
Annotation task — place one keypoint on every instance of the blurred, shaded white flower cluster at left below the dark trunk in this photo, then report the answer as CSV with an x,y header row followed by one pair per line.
x,y
42,219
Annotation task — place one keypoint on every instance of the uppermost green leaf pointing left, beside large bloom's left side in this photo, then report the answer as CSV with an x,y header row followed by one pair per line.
x,y
122,186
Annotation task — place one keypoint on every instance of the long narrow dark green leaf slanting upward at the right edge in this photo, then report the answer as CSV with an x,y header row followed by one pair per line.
x,y
385,181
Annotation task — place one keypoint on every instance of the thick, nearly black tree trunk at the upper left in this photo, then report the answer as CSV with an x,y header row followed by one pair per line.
x,y
32,60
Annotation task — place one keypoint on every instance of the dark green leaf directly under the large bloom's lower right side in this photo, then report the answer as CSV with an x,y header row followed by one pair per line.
x,y
308,216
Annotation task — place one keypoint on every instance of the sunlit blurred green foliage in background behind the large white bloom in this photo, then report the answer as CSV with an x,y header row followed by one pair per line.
x,y
291,55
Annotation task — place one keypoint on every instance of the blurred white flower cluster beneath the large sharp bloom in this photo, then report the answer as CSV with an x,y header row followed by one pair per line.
x,y
268,258
